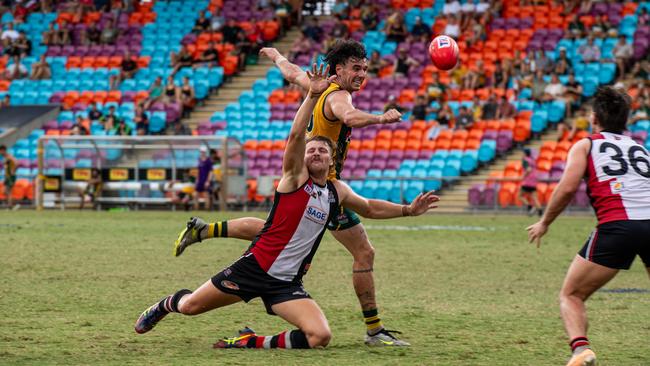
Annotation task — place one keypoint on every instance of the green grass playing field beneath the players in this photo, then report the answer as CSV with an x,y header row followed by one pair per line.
x,y
73,284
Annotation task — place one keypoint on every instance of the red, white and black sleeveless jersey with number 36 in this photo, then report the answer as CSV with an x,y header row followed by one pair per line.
x,y
618,178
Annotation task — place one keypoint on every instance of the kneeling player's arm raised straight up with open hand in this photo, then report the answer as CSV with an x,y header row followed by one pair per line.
x,y
293,162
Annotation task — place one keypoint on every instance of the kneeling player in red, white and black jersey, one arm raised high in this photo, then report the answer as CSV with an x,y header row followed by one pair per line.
x,y
272,267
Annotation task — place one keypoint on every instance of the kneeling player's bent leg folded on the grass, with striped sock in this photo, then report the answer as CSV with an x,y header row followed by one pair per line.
x,y
313,330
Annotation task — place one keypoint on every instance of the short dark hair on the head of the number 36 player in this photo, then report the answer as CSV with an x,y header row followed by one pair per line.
x,y
612,108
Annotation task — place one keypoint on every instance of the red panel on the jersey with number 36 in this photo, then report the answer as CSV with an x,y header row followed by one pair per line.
x,y
608,205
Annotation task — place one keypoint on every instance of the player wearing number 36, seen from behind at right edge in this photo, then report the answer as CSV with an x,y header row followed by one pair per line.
x,y
617,172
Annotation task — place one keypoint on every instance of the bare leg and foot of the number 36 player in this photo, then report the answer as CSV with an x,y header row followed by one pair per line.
x,y
582,280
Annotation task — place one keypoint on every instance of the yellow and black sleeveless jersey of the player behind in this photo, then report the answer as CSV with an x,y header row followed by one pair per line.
x,y
336,130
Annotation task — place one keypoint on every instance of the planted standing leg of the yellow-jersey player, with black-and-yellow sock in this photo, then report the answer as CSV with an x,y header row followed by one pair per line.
x,y
355,240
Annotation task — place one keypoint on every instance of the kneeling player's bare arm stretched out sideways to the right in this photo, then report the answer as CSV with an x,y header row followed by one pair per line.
x,y
379,209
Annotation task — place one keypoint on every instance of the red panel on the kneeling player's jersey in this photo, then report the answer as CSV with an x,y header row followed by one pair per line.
x,y
287,213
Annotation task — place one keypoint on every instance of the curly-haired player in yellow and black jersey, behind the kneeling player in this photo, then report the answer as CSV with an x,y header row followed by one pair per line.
x,y
334,116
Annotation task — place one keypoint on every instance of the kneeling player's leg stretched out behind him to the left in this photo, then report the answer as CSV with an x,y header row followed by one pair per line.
x,y
205,298
